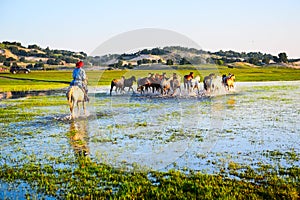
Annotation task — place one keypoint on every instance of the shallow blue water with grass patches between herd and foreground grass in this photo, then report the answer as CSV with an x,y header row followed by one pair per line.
x,y
141,132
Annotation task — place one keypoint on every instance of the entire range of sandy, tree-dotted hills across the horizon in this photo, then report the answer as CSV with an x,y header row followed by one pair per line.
x,y
35,57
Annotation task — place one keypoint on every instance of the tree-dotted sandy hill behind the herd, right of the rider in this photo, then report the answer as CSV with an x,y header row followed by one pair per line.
x,y
176,55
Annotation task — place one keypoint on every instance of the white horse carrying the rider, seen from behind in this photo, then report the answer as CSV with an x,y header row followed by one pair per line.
x,y
75,96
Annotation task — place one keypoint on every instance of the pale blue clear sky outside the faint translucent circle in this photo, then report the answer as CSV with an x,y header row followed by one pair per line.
x,y
268,26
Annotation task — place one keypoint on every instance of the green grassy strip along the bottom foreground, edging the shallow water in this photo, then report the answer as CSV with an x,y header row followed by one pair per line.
x,y
92,181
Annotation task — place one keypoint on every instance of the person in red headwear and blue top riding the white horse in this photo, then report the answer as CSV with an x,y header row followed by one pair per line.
x,y
80,79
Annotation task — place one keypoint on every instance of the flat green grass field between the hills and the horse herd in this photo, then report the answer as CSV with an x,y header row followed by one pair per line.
x,y
46,80
